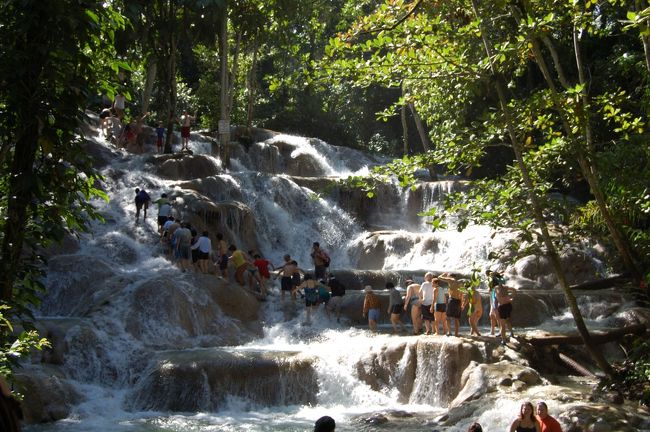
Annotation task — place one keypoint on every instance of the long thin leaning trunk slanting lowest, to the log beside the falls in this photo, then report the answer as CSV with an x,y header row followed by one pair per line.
x,y
551,251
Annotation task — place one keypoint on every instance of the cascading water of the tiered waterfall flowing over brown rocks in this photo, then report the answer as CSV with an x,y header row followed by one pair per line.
x,y
148,348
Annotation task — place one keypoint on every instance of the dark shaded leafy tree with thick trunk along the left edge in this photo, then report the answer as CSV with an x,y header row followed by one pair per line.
x,y
46,180
